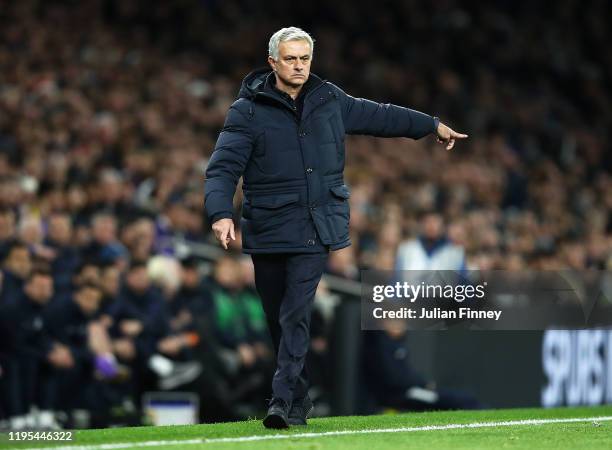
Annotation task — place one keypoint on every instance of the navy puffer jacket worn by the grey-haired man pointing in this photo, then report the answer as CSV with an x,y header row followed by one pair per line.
x,y
295,199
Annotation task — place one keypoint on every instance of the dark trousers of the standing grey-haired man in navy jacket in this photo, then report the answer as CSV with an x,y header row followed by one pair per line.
x,y
287,284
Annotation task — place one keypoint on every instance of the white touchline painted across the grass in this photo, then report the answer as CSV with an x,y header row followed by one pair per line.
x,y
269,437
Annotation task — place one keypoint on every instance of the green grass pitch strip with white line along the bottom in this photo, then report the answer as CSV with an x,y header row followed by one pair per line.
x,y
488,429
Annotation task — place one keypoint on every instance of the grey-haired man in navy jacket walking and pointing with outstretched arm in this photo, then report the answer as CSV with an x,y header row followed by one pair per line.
x,y
285,135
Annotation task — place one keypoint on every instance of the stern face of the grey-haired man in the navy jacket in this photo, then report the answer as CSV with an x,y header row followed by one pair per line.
x,y
293,64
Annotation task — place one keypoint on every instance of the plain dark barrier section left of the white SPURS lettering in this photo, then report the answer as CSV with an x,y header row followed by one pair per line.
x,y
502,369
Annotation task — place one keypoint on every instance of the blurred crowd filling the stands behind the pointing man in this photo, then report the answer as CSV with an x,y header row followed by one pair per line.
x,y
110,109
